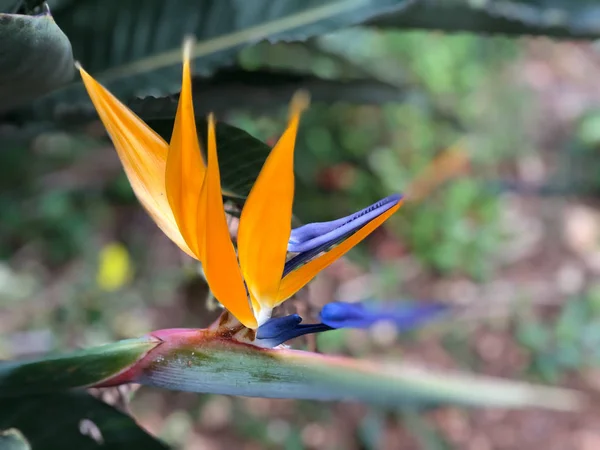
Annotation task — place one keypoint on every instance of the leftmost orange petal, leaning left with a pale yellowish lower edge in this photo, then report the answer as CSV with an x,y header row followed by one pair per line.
x,y
142,152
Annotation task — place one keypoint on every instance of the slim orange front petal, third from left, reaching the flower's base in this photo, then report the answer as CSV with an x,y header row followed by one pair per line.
x,y
218,255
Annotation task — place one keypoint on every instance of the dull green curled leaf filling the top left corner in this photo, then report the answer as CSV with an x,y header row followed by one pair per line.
x,y
36,58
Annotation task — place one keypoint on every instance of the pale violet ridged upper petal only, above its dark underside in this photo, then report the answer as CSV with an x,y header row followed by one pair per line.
x,y
312,235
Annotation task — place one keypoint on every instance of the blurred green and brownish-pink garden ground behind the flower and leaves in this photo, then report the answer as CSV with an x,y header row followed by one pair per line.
x,y
513,239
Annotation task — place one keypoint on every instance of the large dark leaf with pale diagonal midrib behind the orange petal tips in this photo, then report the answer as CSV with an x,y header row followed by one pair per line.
x,y
134,47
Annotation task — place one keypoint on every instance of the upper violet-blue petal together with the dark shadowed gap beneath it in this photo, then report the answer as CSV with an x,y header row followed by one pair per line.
x,y
311,239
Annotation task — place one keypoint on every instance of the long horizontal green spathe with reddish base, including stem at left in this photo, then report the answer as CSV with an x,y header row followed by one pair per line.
x,y
211,361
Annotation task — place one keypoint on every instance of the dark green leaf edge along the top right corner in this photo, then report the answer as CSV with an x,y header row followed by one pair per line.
x,y
579,19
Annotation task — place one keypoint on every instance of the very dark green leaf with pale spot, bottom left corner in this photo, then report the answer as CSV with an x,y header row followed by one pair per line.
x,y
73,420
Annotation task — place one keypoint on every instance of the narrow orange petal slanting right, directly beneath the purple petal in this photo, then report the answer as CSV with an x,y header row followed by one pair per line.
x,y
297,279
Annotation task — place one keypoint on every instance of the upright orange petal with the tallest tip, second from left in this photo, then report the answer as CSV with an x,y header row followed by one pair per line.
x,y
185,167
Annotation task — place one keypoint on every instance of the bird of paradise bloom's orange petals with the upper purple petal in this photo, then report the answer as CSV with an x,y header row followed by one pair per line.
x,y
182,193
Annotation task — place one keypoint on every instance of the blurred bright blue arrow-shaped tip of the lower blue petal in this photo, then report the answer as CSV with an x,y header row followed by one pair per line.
x,y
405,315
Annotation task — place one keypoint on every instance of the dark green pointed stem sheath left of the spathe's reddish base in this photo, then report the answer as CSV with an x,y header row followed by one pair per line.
x,y
77,369
